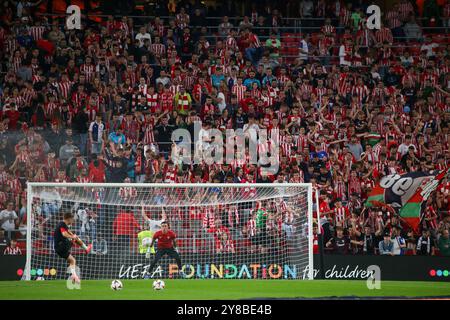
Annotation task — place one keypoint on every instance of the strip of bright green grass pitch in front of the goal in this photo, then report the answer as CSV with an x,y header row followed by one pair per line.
x,y
218,289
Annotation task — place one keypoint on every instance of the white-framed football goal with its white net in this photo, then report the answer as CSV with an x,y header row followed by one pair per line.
x,y
224,231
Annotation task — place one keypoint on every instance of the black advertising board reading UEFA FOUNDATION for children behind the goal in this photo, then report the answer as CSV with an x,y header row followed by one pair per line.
x,y
402,268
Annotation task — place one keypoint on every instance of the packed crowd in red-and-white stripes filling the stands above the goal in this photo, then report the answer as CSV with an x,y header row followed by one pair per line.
x,y
352,105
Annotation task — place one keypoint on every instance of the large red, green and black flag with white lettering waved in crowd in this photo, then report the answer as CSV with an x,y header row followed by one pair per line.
x,y
406,193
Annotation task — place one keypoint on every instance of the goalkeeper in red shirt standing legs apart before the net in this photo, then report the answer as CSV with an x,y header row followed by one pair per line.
x,y
166,245
